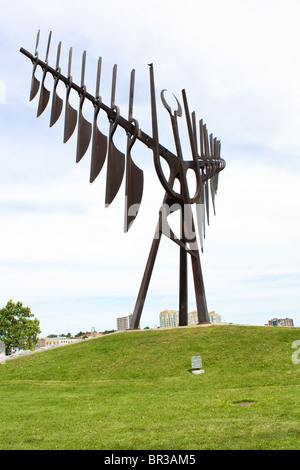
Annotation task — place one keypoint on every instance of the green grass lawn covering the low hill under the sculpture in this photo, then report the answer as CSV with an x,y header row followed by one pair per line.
x,y
135,391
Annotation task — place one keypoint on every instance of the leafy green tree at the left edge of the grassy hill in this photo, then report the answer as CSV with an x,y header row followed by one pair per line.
x,y
18,328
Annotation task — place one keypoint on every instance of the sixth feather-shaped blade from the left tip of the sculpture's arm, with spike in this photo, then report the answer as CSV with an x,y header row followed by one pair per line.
x,y
99,140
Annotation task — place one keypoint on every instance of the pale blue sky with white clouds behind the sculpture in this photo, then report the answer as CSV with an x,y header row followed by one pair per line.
x,y
65,255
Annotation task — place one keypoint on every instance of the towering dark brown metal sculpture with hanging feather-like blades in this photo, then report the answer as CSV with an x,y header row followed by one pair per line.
x,y
206,163
